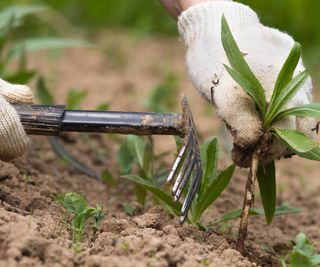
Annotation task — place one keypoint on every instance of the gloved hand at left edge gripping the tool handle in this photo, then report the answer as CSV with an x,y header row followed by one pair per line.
x,y
13,139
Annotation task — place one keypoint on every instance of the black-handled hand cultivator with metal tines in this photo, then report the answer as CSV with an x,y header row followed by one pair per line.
x,y
54,120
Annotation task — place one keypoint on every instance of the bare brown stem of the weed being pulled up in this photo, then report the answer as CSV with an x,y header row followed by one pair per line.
x,y
248,200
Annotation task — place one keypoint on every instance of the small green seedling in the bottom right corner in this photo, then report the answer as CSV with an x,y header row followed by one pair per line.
x,y
302,254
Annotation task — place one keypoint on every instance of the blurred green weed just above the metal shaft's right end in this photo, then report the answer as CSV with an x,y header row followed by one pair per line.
x,y
163,97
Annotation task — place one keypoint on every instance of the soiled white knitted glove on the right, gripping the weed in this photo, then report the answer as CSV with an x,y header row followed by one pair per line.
x,y
264,49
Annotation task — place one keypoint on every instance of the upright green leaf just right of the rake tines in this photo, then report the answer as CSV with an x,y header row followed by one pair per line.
x,y
210,156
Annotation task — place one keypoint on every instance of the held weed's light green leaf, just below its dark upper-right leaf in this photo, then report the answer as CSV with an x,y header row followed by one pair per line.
x,y
285,95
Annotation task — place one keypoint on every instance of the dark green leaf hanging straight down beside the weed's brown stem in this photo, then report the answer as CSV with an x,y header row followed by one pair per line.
x,y
267,183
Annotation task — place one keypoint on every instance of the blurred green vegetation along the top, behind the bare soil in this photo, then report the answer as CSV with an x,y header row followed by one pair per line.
x,y
297,17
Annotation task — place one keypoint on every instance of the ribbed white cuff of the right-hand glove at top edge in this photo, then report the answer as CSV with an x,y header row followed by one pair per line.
x,y
204,19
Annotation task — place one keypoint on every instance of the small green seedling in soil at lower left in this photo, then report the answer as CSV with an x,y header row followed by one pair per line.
x,y
82,214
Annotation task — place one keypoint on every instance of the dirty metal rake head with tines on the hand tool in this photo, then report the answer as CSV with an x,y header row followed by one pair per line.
x,y
187,164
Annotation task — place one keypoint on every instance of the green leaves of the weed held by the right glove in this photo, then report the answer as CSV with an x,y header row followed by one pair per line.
x,y
285,89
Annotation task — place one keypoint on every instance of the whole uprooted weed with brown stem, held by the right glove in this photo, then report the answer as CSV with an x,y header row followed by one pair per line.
x,y
285,89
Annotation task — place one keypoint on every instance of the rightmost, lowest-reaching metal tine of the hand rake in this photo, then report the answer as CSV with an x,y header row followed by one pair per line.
x,y
191,193
